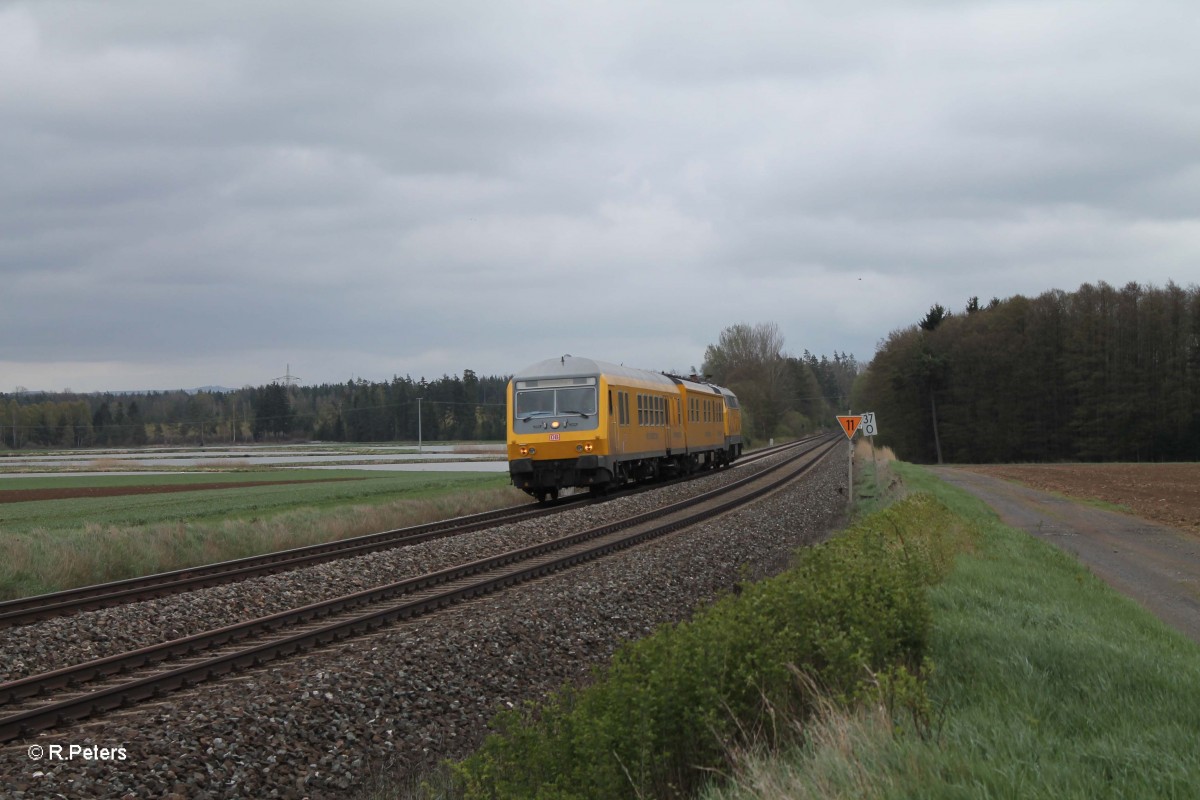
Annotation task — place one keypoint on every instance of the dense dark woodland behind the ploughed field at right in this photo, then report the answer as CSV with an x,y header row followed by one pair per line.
x,y
1096,375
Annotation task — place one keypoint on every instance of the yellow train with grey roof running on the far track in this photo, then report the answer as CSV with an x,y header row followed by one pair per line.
x,y
578,423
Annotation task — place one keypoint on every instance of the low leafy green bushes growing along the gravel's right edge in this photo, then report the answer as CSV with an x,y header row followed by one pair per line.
x,y
850,622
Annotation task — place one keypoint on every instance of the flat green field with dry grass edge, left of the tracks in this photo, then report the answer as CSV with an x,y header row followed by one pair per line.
x,y
55,545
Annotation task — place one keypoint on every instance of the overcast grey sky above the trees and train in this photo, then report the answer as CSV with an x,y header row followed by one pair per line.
x,y
197,194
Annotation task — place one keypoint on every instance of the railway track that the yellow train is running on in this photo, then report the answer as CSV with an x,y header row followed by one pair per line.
x,y
26,611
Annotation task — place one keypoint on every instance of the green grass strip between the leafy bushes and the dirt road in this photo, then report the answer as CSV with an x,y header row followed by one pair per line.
x,y
1048,684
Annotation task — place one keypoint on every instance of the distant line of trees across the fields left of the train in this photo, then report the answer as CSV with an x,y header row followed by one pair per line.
x,y
451,408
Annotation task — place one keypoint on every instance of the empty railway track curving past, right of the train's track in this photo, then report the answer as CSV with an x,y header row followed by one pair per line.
x,y
61,697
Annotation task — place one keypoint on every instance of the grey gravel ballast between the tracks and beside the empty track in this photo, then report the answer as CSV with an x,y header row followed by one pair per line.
x,y
405,699
